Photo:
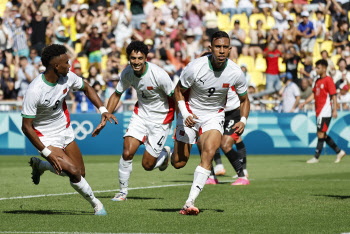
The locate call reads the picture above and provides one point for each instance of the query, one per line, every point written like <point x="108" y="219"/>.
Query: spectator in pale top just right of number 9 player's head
<point x="237" y="37"/>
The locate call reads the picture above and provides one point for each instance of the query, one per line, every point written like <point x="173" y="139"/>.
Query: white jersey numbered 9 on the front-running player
<point x="209" y="87"/>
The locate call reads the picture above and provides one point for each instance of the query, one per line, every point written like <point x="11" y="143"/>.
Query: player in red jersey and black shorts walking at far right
<point x="323" y="92"/>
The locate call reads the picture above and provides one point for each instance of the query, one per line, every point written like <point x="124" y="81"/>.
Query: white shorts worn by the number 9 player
<point x="204" y="123"/>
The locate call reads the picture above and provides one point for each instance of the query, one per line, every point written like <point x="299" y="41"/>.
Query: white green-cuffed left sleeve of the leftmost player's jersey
<point x="30" y="104"/>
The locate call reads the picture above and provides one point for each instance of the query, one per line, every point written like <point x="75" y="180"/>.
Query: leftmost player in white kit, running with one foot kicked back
<point x="46" y="122"/>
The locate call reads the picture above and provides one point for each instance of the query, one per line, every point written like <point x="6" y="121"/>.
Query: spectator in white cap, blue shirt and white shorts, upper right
<point x="307" y="32"/>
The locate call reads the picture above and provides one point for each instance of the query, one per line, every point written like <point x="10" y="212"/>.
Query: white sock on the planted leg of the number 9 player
<point x="200" y="177"/>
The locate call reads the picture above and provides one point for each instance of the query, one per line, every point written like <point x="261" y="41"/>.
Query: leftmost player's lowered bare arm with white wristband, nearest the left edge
<point x="51" y="156"/>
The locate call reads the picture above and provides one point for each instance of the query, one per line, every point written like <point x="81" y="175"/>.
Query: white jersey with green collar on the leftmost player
<point x="45" y="103"/>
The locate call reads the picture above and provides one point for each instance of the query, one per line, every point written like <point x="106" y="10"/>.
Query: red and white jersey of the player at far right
<point x="324" y="88"/>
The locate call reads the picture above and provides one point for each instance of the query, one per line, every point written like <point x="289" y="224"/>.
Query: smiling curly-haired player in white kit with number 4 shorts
<point x="152" y="117"/>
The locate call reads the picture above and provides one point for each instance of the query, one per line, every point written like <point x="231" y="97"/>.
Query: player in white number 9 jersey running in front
<point x="202" y="110"/>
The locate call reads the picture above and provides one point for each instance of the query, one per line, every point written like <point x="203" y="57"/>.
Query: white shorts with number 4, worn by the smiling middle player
<point x="151" y="134"/>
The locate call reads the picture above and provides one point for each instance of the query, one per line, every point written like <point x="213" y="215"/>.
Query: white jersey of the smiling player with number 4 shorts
<point x="154" y="89"/>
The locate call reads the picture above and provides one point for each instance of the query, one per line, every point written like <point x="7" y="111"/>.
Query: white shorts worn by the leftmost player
<point x="60" y="139"/>
